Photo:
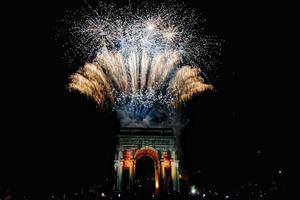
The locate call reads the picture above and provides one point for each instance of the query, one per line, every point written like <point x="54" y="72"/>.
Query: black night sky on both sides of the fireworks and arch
<point x="56" y="141"/>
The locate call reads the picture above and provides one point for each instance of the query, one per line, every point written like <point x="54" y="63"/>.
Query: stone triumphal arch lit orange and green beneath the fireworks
<point x="134" y="147"/>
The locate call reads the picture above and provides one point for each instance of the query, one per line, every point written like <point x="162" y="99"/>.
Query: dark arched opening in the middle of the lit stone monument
<point x="145" y="176"/>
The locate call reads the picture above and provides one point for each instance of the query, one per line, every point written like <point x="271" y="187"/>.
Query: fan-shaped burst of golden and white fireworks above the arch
<point x="142" y="63"/>
